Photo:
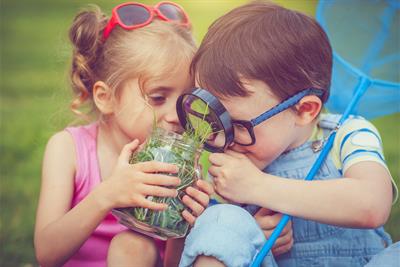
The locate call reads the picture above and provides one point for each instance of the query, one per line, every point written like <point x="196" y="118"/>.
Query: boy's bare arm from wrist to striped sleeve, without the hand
<point x="361" y="199"/>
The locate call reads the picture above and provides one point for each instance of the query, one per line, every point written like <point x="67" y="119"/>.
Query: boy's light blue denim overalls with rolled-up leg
<point x="230" y="234"/>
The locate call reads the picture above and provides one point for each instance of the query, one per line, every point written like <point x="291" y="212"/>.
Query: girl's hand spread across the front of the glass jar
<point x="130" y="184"/>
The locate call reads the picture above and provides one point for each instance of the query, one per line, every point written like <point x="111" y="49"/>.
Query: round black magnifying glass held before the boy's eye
<point x="203" y="114"/>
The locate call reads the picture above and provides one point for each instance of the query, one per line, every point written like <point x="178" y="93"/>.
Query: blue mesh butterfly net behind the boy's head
<point x="365" y="38"/>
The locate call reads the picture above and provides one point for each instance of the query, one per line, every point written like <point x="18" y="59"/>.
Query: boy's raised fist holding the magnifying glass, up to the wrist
<point x="235" y="176"/>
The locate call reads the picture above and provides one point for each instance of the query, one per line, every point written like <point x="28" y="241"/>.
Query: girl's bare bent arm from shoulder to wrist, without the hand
<point x="59" y="231"/>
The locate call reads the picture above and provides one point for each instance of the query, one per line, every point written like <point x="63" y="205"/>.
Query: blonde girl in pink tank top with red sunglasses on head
<point x="126" y="69"/>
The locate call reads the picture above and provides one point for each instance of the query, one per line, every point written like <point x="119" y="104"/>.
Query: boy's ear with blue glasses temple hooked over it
<point x="308" y="109"/>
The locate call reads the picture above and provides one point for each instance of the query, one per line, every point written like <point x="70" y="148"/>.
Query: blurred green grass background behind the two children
<point x="35" y="97"/>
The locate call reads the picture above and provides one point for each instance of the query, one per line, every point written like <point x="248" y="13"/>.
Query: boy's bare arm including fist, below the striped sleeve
<point x="361" y="199"/>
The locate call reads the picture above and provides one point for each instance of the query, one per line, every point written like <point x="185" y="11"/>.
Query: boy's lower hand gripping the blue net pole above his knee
<point x="268" y="220"/>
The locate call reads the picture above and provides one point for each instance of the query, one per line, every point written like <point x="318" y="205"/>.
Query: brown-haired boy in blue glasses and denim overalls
<point x="270" y="68"/>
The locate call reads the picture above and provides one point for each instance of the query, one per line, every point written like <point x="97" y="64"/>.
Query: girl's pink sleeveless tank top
<point x="93" y="253"/>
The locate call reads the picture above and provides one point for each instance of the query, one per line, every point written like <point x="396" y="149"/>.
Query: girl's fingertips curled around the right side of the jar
<point x="196" y="199"/>
